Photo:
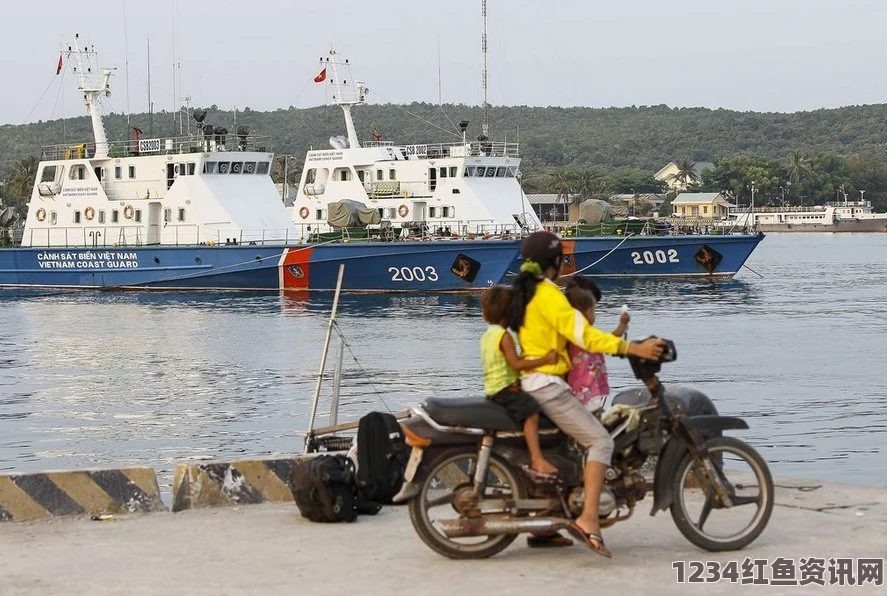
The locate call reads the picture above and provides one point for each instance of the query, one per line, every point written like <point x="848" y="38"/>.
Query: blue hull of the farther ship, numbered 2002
<point x="651" y="256"/>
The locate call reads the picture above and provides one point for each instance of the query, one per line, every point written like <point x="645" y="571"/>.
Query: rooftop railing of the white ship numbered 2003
<point x="160" y="146"/>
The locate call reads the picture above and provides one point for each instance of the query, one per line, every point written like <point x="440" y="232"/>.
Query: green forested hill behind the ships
<point x="637" y="137"/>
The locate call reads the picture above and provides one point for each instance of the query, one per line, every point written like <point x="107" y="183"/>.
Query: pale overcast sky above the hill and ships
<point x="773" y="55"/>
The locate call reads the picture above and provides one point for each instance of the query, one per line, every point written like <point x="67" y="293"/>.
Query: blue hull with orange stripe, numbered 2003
<point x="427" y="266"/>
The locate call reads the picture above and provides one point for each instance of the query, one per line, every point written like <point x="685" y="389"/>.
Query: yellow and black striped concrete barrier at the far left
<point x="45" y="495"/>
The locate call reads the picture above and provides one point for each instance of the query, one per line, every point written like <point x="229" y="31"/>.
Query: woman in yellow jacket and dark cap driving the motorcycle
<point x="544" y="321"/>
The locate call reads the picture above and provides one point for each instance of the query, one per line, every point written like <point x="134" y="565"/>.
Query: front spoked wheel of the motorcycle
<point x="696" y="511"/>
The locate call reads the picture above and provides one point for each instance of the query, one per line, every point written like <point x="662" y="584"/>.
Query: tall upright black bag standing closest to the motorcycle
<point x="381" y="457"/>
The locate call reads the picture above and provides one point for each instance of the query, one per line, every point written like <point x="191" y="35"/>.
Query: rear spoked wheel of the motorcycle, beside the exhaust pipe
<point x="443" y="491"/>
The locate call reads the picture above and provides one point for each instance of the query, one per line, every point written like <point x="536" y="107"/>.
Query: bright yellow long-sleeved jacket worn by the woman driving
<point x="550" y="323"/>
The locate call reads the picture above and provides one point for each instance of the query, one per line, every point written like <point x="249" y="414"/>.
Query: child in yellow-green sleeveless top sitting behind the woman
<point x="501" y="362"/>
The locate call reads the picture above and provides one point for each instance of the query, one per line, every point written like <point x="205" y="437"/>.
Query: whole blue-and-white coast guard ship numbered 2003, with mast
<point x="201" y="212"/>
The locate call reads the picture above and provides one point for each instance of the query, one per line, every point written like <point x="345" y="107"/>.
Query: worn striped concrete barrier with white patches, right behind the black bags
<point x="220" y="484"/>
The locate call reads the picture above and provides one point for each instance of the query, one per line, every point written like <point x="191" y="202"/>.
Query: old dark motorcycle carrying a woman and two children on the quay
<point x="471" y="493"/>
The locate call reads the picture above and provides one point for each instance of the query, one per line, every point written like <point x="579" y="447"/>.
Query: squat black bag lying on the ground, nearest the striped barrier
<point x="324" y="489"/>
